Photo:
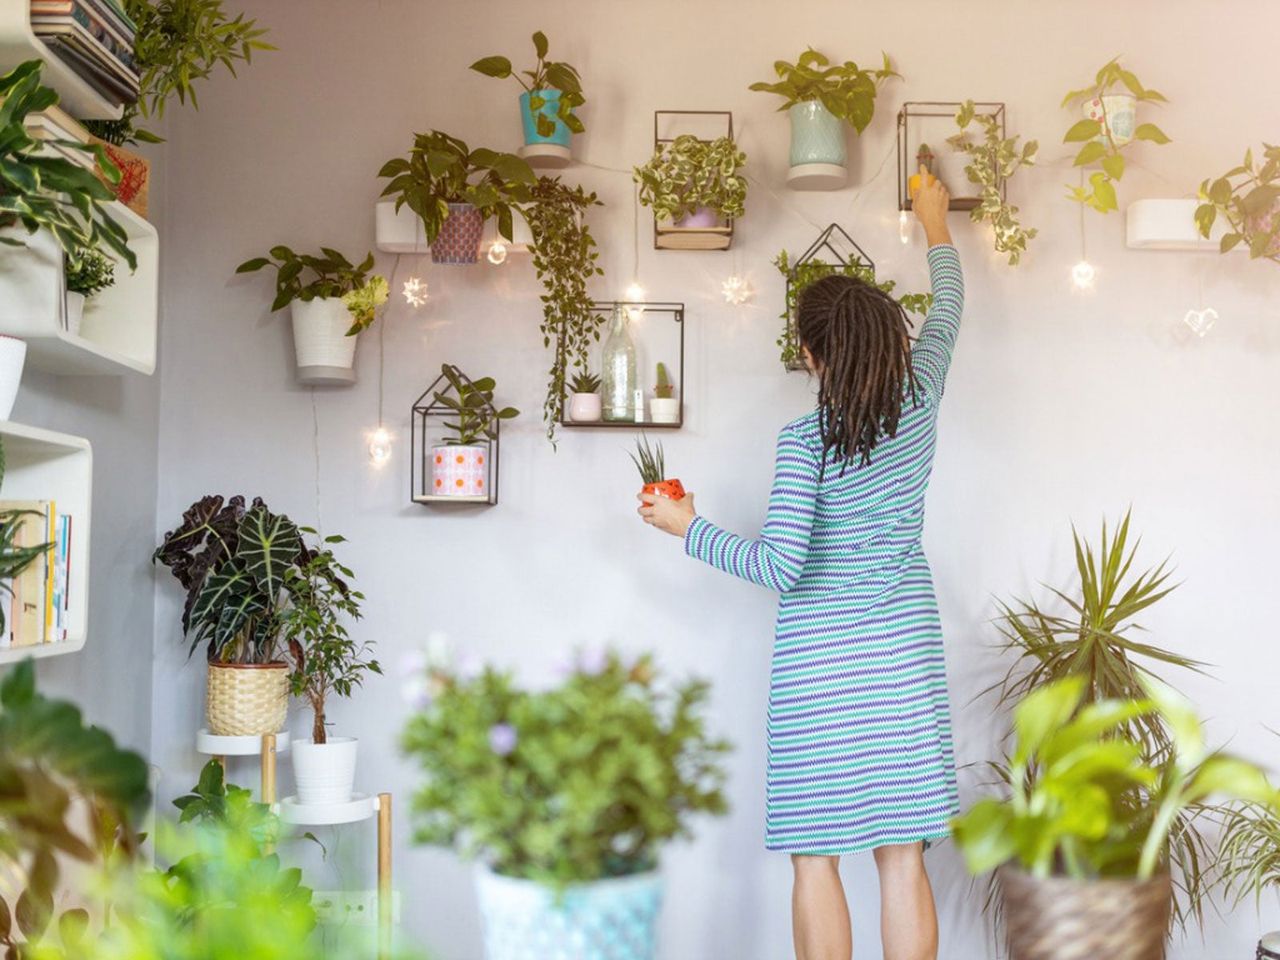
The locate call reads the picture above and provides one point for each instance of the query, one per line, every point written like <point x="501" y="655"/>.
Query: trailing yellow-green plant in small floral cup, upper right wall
<point x="1110" y="125"/>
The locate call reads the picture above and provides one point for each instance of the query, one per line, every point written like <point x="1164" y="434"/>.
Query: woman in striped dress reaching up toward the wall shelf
<point x="860" y="733"/>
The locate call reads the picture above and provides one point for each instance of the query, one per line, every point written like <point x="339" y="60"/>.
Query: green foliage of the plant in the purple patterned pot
<point x="442" y="170"/>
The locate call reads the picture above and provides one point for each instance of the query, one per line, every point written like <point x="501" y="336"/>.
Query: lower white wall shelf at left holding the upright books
<point x="43" y="465"/>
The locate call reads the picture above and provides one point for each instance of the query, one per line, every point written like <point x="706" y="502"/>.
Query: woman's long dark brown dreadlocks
<point x="862" y="353"/>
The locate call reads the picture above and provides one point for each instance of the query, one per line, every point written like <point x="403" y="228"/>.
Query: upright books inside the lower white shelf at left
<point x="38" y="598"/>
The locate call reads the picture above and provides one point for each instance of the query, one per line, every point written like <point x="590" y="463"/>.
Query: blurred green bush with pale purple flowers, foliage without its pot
<point x="578" y="783"/>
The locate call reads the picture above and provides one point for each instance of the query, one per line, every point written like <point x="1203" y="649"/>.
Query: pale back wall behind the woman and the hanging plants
<point x="1060" y="408"/>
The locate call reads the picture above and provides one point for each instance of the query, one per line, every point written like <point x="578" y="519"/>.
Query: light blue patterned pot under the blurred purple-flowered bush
<point x="611" y="920"/>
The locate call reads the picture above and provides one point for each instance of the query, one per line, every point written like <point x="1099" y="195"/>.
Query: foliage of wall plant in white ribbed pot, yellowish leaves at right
<point x="308" y="277"/>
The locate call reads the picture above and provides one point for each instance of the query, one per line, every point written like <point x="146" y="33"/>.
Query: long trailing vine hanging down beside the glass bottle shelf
<point x="565" y="255"/>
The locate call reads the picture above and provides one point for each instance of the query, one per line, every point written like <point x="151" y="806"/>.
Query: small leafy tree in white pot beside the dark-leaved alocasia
<point x="326" y="662"/>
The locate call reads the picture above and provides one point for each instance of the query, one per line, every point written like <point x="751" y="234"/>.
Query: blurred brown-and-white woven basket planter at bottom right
<point x="1068" y="920"/>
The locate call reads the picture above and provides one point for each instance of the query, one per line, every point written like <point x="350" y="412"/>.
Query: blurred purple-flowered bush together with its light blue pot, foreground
<point x="501" y="780"/>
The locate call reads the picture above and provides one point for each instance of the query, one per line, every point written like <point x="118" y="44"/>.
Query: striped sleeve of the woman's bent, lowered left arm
<point x="778" y="559"/>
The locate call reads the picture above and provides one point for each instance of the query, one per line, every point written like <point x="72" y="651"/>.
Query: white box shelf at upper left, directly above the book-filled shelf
<point x="118" y="333"/>
